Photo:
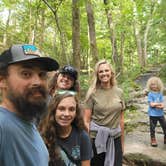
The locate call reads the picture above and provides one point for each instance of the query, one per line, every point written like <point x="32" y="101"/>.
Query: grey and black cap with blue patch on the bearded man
<point x="26" y="52"/>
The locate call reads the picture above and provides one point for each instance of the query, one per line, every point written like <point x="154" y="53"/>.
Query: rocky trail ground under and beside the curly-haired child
<point x="137" y="149"/>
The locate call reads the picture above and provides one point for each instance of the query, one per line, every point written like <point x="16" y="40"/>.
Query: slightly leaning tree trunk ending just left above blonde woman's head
<point x="92" y="33"/>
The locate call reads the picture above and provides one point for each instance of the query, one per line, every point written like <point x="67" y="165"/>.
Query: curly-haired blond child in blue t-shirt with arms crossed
<point x="155" y="109"/>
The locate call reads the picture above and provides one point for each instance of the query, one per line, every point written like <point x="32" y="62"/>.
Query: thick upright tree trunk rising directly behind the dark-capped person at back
<point x="76" y="34"/>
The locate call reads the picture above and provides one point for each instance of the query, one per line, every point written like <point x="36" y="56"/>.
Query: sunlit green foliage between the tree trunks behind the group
<point x="28" y="17"/>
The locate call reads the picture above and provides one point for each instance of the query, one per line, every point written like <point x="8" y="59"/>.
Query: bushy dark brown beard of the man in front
<point x="27" y="106"/>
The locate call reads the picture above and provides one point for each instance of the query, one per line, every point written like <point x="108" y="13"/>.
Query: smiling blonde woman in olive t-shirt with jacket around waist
<point x="103" y="116"/>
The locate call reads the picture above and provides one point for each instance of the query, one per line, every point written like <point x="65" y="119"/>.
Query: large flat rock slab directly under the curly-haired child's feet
<point x="138" y="144"/>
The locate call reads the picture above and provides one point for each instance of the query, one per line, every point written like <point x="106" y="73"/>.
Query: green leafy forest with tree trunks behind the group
<point x="131" y="34"/>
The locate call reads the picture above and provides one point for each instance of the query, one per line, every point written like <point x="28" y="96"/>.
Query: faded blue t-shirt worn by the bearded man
<point x="20" y="142"/>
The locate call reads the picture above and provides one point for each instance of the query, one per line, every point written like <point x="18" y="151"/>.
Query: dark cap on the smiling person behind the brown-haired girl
<point x="70" y="70"/>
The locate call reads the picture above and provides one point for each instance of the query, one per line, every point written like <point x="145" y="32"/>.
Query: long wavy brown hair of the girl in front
<point x="50" y="130"/>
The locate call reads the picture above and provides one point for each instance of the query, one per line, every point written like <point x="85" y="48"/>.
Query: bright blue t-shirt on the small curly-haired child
<point x="155" y="97"/>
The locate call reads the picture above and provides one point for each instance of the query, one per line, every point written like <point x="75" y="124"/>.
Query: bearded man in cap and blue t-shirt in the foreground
<point x="23" y="85"/>
